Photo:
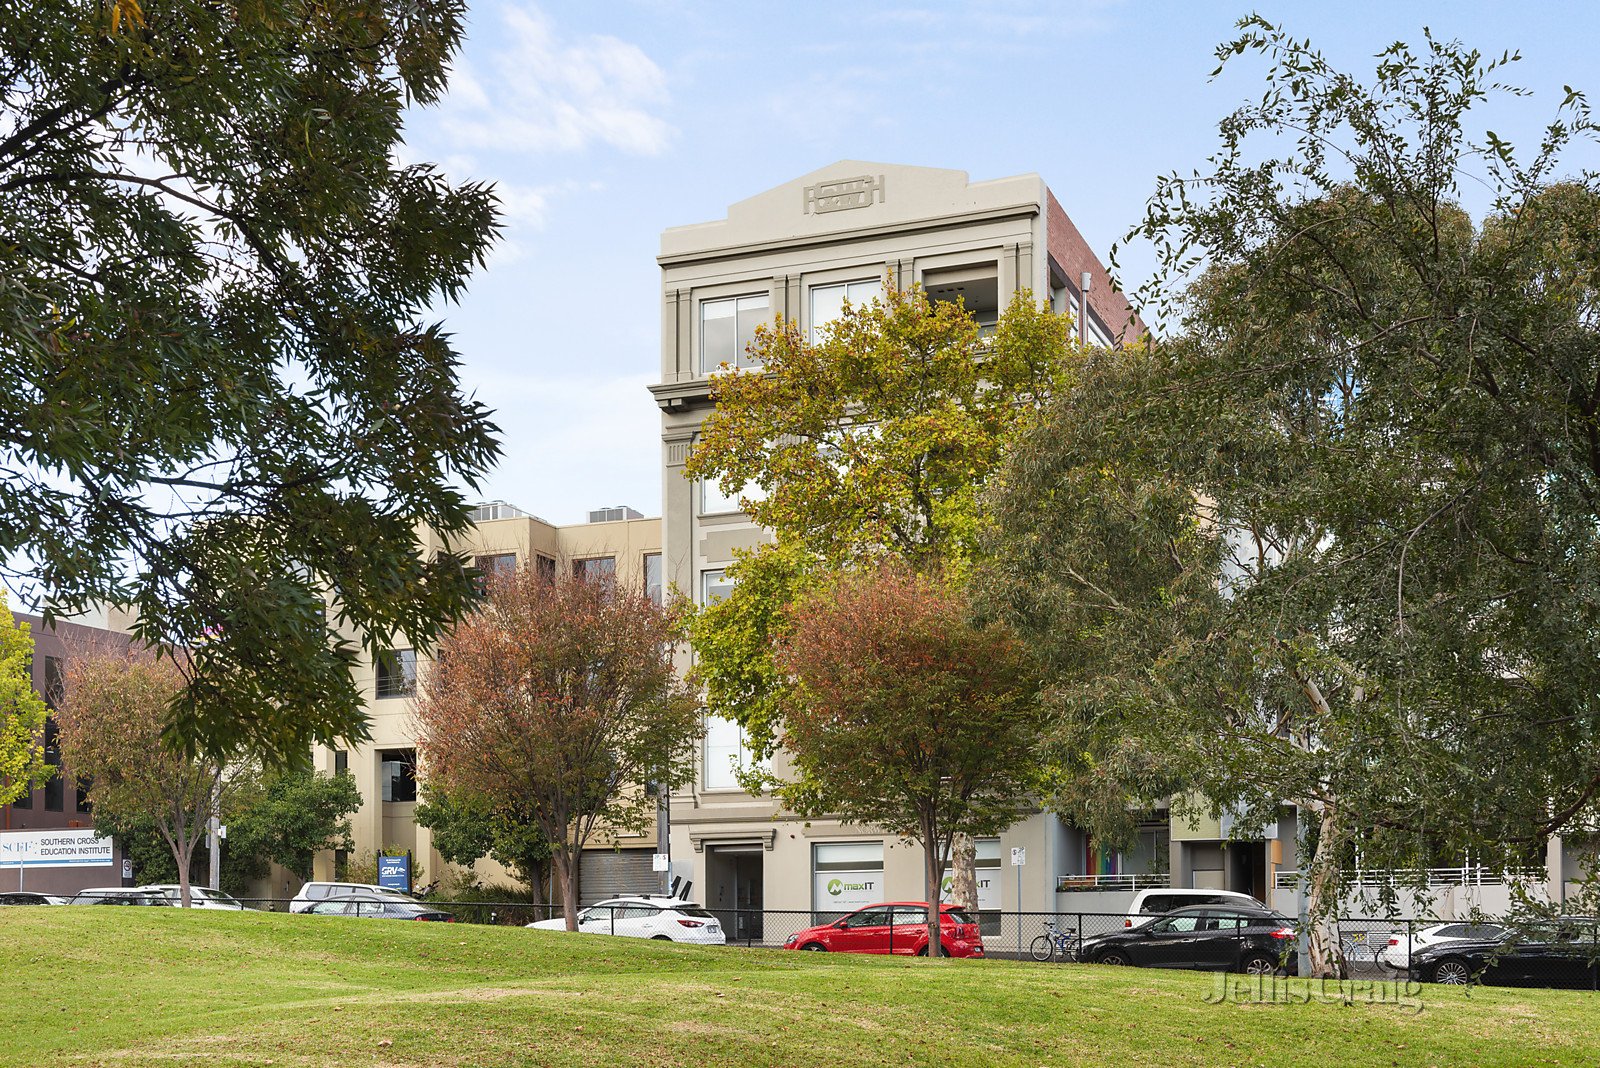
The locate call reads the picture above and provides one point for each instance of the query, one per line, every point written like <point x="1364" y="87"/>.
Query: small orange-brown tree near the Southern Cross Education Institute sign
<point x="111" y="735"/>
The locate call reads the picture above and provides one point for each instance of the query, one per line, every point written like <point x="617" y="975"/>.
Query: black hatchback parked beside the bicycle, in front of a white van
<point x="1209" y="938"/>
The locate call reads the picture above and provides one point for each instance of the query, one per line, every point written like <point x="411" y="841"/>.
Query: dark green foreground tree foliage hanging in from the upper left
<point x="226" y="408"/>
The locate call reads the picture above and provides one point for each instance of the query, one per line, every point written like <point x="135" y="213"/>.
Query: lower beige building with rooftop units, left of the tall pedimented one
<point x="618" y="543"/>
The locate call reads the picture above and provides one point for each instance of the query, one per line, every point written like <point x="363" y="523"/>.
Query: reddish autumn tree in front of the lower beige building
<point x="561" y="698"/>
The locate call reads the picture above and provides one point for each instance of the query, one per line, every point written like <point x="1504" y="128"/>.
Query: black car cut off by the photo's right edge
<point x="1556" y="954"/>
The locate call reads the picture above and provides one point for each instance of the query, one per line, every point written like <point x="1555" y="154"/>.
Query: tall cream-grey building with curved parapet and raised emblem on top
<point x="799" y="252"/>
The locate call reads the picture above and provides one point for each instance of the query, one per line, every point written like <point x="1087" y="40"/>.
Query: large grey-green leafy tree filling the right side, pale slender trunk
<point x="1337" y="543"/>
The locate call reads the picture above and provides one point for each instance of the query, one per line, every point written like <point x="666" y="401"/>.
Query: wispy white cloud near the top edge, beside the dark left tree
<point x="543" y="92"/>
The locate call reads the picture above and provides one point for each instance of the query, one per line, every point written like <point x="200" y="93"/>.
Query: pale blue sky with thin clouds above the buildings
<point x="606" y="124"/>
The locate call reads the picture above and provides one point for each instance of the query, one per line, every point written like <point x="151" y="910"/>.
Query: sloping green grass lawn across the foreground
<point x="162" y="987"/>
